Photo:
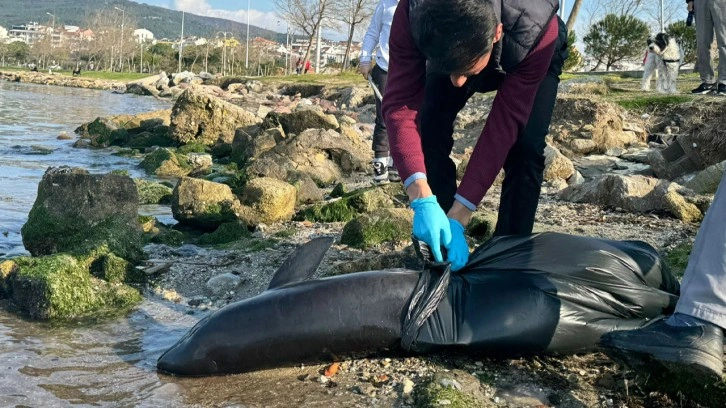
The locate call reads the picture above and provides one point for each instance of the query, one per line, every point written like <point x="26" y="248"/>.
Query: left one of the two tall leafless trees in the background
<point x="306" y="15"/>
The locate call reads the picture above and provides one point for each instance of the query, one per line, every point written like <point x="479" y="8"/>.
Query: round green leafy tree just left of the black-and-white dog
<point x="615" y="38"/>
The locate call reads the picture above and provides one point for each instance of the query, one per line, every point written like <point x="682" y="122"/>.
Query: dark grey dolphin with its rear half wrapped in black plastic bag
<point x="545" y="293"/>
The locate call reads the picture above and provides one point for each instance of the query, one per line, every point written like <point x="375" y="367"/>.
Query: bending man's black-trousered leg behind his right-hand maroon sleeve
<point x="524" y="166"/>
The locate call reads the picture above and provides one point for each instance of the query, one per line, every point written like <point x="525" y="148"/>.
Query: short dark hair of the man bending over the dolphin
<point x="453" y="34"/>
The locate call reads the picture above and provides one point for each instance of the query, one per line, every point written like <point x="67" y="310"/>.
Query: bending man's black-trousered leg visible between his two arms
<point x="442" y="102"/>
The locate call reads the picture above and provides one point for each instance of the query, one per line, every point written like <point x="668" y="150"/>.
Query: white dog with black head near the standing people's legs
<point x="663" y="61"/>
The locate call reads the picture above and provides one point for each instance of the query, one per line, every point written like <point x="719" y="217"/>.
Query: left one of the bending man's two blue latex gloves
<point x="431" y="225"/>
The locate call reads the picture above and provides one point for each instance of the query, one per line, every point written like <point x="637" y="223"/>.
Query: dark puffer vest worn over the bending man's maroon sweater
<point x="524" y="22"/>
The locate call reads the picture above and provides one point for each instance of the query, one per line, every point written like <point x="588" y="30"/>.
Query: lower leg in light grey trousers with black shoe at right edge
<point x="690" y="341"/>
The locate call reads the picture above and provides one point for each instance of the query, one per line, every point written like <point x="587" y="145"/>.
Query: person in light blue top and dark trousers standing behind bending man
<point x="377" y="34"/>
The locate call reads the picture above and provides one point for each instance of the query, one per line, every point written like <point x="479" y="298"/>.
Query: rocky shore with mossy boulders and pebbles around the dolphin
<point x="252" y="169"/>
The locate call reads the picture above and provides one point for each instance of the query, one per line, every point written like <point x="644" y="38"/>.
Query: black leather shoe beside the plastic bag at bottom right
<point x="695" y="352"/>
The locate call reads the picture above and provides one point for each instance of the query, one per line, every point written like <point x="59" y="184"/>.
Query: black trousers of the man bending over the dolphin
<point x="524" y="165"/>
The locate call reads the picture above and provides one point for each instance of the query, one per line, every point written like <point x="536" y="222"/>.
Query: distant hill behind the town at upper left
<point x="164" y="23"/>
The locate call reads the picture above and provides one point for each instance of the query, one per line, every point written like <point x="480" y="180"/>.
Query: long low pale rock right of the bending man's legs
<point x="633" y="193"/>
